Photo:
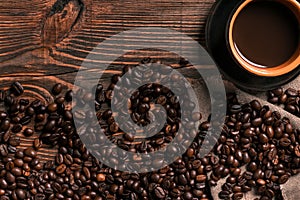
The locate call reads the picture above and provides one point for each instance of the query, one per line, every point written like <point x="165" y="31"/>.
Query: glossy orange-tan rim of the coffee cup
<point x="284" y="68"/>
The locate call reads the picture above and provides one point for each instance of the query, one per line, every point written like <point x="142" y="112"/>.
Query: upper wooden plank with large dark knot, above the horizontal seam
<point x="62" y="37"/>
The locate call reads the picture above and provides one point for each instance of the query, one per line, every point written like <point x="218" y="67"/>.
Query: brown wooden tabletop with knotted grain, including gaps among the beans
<point x="43" y="42"/>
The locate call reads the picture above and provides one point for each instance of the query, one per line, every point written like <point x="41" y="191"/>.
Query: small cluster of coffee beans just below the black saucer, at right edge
<point x="289" y="99"/>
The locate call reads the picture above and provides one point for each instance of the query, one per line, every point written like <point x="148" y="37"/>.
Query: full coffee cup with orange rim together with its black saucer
<point x="256" y="43"/>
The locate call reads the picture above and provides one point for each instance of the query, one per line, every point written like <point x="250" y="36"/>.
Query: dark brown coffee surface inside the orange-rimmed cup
<point x="266" y="33"/>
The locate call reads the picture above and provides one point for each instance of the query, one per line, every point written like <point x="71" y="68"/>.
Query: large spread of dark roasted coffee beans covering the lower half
<point x="252" y="136"/>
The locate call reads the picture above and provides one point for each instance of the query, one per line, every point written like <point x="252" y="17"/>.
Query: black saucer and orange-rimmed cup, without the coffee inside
<point x="236" y="67"/>
